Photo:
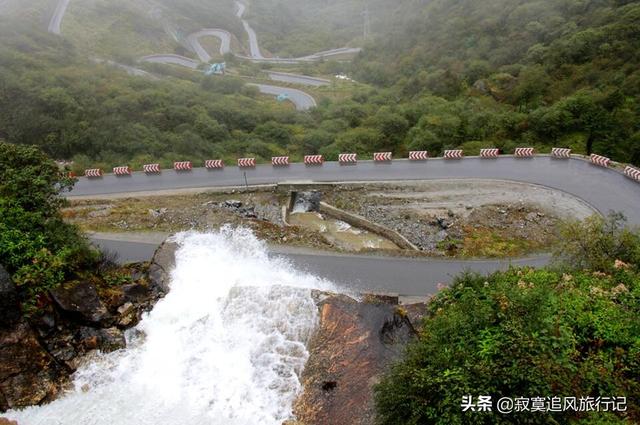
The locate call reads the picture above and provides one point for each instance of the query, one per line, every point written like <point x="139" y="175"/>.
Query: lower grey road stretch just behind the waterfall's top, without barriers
<point x="409" y="277"/>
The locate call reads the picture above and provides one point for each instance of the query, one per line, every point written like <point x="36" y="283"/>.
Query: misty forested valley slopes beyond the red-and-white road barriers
<point x="433" y="75"/>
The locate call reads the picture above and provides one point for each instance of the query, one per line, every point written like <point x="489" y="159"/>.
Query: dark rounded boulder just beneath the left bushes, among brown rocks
<point x="80" y="300"/>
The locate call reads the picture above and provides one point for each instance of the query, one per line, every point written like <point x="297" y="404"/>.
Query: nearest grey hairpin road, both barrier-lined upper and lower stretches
<point x="604" y="189"/>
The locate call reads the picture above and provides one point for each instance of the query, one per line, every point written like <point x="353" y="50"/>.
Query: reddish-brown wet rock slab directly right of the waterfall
<point x="353" y="345"/>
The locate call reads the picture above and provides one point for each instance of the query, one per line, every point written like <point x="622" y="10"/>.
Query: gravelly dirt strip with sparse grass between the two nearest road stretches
<point x="464" y="218"/>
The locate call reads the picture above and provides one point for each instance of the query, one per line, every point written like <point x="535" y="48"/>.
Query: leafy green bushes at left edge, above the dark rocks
<point x="37" y="247"/>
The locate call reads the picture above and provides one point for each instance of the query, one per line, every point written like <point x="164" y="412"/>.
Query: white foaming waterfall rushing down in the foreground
<point x="225" y="346"/>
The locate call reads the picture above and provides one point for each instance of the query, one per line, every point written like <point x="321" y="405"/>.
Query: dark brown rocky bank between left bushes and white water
<point x="38" y="354"/>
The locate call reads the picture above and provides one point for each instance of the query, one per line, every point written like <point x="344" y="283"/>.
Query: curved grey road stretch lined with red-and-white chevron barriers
<point x="604" y="189"/>
